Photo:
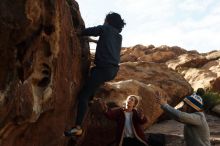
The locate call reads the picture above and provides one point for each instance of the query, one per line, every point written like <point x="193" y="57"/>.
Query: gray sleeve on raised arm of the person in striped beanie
<point x="183" y="117"/>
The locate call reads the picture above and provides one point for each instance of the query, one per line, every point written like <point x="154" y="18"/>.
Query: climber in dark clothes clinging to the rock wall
<point x="107" y="58"/>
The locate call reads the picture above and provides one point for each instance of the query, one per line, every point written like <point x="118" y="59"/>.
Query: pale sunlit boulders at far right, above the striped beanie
<point x="201" y="71"/>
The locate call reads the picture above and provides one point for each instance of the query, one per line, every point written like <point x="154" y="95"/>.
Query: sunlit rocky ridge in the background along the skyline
<point x="200" y="70"/>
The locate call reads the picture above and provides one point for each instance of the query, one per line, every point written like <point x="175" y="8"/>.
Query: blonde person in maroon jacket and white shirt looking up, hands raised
<point x="129" y="131"/>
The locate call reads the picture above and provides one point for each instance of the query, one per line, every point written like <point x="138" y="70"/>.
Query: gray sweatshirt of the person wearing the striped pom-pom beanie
<point x="196" y="129"/>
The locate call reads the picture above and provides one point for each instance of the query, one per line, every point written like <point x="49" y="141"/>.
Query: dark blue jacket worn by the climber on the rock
<point x="108" y="46"/>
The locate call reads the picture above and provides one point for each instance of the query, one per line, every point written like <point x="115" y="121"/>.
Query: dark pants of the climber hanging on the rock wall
<point x="98" y="76"/>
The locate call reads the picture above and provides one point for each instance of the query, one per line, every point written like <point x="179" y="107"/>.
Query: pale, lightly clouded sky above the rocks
<point x="189" y="24"/>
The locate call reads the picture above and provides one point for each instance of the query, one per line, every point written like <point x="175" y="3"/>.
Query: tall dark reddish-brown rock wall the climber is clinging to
<point x="41" y="68"/>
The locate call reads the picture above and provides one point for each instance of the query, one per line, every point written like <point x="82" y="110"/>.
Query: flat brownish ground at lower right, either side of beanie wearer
<point x="172" y="131"/>
